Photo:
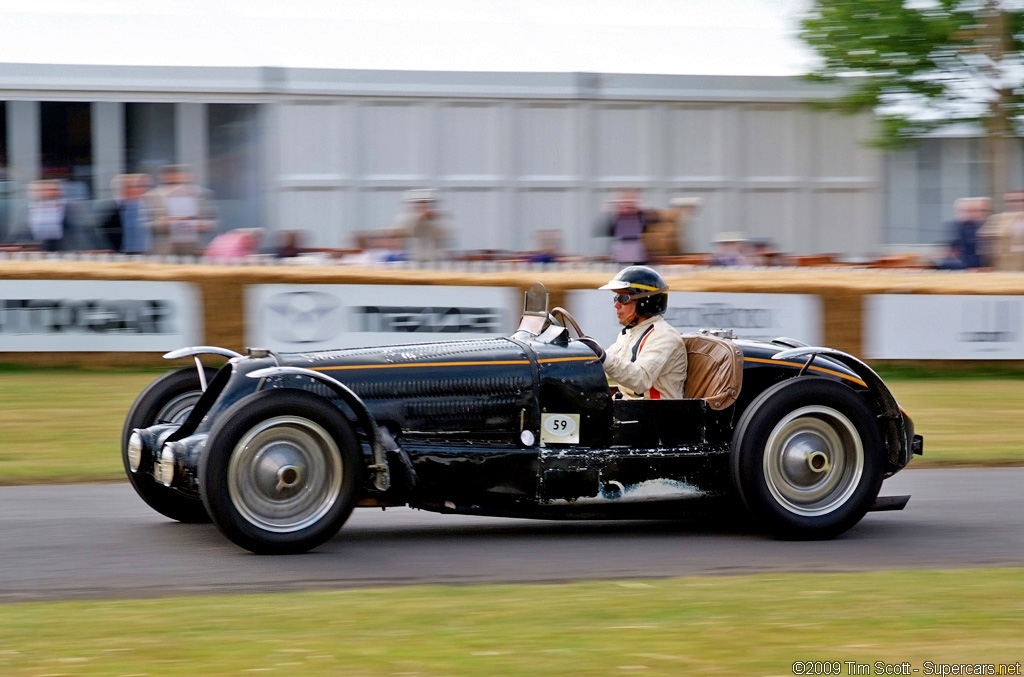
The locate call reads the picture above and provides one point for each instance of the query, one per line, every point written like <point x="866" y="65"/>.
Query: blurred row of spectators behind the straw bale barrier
<point x="167" y="214"/>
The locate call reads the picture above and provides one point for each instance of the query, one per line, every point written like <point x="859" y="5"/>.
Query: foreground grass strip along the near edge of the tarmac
<point x="750" y="625"/>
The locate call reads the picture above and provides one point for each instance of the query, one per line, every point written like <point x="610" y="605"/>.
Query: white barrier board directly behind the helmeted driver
<point x="750" y="316"/>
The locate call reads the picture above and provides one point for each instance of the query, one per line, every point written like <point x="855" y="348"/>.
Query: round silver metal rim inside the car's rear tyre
<point x="814" y="461"/>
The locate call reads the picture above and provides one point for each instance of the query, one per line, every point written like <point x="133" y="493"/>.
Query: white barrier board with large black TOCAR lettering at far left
<point x="92" y="316"/>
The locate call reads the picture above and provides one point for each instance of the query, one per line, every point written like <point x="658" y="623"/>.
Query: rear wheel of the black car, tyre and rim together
<point x="807" y="458"/>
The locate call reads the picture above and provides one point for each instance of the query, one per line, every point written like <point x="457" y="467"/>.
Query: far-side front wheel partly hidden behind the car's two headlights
<point x="168" y="400"/>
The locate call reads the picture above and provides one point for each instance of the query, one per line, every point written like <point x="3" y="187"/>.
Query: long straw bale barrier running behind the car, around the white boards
<point x="223" y="291"/>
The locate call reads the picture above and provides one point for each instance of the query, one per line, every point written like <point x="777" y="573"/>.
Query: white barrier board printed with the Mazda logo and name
<point x="303" y="318"/>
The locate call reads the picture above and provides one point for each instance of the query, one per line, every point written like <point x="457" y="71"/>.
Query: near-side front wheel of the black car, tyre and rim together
<point x="281" y="472"/>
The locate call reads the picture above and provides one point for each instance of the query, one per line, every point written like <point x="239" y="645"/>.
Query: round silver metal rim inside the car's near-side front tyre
<point x="285" y="475"/>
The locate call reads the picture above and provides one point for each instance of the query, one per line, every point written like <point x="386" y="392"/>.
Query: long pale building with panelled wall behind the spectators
<point x="331" y="152"/>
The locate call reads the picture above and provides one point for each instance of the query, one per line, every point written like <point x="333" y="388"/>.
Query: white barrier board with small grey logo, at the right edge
<point x="944" y="327"/>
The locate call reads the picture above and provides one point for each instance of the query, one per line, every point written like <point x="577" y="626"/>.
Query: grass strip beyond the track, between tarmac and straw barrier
<point x="60" y="426"/>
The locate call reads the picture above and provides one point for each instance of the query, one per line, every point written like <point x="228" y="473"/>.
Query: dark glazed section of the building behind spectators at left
<point x="83" y="145"/>
